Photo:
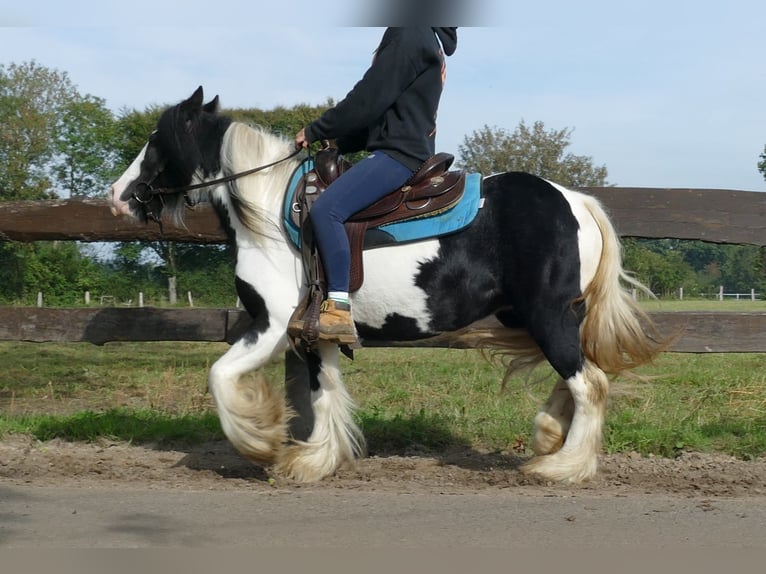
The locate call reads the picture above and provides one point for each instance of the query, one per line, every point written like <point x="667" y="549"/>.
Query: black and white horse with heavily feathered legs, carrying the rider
<point x="543" y="261"/>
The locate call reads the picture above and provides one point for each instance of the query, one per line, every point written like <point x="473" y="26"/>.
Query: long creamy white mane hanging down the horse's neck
<point x="257" y="199"/>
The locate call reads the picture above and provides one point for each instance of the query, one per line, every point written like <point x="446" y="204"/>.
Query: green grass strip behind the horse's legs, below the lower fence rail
<point x="410" y="400"/>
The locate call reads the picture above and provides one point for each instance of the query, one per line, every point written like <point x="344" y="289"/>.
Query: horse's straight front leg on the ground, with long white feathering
<point x="335" y="438"/>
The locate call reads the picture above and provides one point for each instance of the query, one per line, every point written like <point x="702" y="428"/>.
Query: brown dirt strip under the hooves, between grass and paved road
<point x="216" y="466"/>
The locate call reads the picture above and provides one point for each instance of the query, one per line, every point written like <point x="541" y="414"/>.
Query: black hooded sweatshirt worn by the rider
<point x="393" y="108"/>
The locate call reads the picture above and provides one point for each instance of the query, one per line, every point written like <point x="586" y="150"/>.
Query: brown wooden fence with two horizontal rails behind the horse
<point x="721" y="216"/>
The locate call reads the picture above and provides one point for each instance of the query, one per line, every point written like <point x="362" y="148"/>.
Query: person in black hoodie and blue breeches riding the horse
<point x="391" y="113"/>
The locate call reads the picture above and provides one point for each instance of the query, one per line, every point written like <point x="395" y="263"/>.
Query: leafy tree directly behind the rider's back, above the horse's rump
<point x="533" y="150"/>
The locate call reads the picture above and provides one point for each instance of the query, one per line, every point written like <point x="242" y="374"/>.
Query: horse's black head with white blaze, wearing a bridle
<point x="174" y="156"/>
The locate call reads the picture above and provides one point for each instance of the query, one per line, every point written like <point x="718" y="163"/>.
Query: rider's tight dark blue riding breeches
<point x="366" y="182"/>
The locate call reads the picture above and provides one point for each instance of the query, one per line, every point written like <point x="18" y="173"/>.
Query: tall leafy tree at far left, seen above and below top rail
<point x="53" y="142"/>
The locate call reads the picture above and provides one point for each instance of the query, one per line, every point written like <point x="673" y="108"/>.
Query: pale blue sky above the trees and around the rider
<point x="663" y="93"/>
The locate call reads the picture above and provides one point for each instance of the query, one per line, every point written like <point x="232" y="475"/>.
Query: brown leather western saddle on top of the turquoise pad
<point x="431" y="190"/>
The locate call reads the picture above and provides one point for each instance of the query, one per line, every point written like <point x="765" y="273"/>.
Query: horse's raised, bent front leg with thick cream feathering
<point x="252" y="412"/>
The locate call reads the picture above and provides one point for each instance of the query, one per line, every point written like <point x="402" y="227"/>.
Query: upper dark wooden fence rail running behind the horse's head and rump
<point x="716" y="215"/>
